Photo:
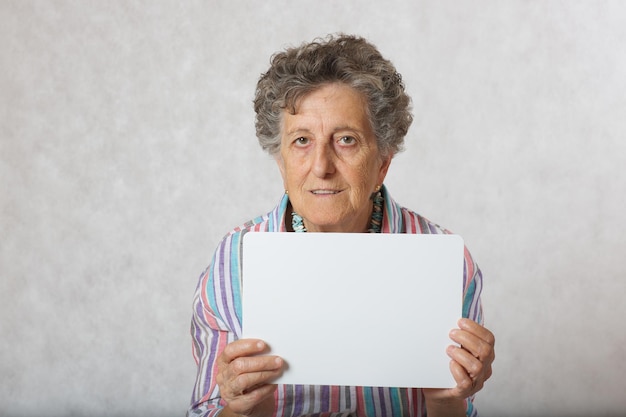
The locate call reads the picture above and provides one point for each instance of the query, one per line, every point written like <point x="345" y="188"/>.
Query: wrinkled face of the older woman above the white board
<point x="329" y="160"/>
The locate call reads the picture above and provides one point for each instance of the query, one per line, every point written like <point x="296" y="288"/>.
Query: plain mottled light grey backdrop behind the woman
<point x="127" y="150"/>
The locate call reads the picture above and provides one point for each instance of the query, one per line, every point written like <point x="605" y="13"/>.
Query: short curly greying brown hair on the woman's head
<point x="347" y="59"/>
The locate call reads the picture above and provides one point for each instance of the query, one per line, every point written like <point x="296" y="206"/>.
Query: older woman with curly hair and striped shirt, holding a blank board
<point x="332" y="113"/>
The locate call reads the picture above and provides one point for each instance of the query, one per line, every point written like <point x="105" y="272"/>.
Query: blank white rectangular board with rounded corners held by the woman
<point x="355" y="309"/>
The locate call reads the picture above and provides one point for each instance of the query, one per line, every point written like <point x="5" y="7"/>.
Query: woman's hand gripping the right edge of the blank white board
<point x="470" y="364"/>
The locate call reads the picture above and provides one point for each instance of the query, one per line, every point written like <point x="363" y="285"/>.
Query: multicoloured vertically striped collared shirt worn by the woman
<point x="217" y="322"/>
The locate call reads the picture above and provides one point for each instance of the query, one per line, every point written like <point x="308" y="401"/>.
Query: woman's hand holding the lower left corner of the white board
<point x="244" y="377"/>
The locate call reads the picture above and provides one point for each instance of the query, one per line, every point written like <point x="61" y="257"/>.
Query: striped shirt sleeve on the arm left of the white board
<point x="215" y="323"/>
